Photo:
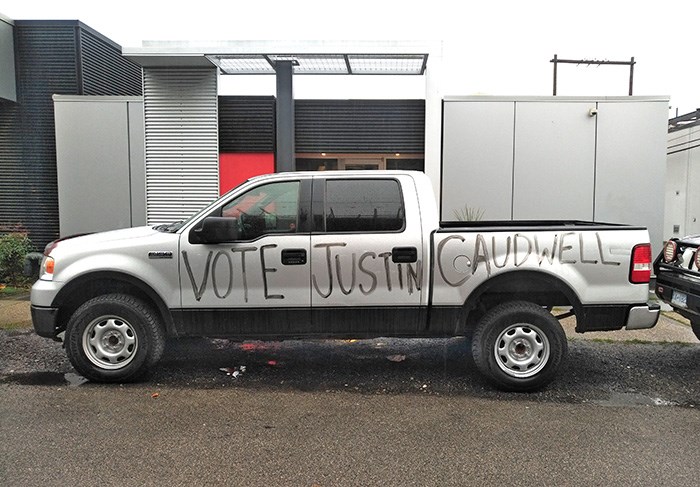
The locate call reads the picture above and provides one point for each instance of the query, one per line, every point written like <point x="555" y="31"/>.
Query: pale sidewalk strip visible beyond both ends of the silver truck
<point x="670" y="328"/>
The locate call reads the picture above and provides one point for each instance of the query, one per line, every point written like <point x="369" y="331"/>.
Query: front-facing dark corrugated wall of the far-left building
<point x="46" y="65"/>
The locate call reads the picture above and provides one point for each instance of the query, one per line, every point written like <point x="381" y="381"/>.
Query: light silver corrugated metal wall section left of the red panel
<point x="180" y="109"/>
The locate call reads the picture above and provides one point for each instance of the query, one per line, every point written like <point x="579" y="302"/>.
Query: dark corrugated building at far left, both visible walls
<point x="47" y="58"/>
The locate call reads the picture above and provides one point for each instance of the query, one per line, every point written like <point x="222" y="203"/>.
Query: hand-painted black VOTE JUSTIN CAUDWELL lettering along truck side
<point x="457" y="260"/>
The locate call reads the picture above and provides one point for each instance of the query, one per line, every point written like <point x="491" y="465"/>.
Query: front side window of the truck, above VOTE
<point x="270" y="208"/>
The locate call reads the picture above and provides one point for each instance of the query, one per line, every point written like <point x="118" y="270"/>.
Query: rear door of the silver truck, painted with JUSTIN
<point x="366" y="256"/>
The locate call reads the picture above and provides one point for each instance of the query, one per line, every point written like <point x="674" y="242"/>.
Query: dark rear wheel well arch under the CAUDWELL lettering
<point x="532" y="286"/>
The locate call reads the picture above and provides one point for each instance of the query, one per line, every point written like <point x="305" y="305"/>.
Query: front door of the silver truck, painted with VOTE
<point x="258" y="282"/>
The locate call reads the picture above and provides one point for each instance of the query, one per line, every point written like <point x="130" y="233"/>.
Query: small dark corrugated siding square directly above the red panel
<point x="246" y="124"/>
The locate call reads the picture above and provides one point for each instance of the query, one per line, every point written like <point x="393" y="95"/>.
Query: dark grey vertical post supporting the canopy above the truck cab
<point x="284" y="146"/>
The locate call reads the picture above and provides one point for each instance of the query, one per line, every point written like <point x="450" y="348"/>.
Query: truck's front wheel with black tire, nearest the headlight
<point x="114" y="338"/>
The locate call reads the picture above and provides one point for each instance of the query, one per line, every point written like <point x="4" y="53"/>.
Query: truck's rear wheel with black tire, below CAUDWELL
<point x="519" y="346"/>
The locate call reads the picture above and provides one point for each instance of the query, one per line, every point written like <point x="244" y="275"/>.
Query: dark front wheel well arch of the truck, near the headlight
<point x="89" y="286"/>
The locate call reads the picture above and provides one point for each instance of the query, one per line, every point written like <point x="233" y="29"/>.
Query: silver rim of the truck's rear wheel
<point x="522" y="350"/>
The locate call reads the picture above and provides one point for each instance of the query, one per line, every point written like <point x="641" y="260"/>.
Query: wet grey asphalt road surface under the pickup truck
<point x="384" y="411"/>
